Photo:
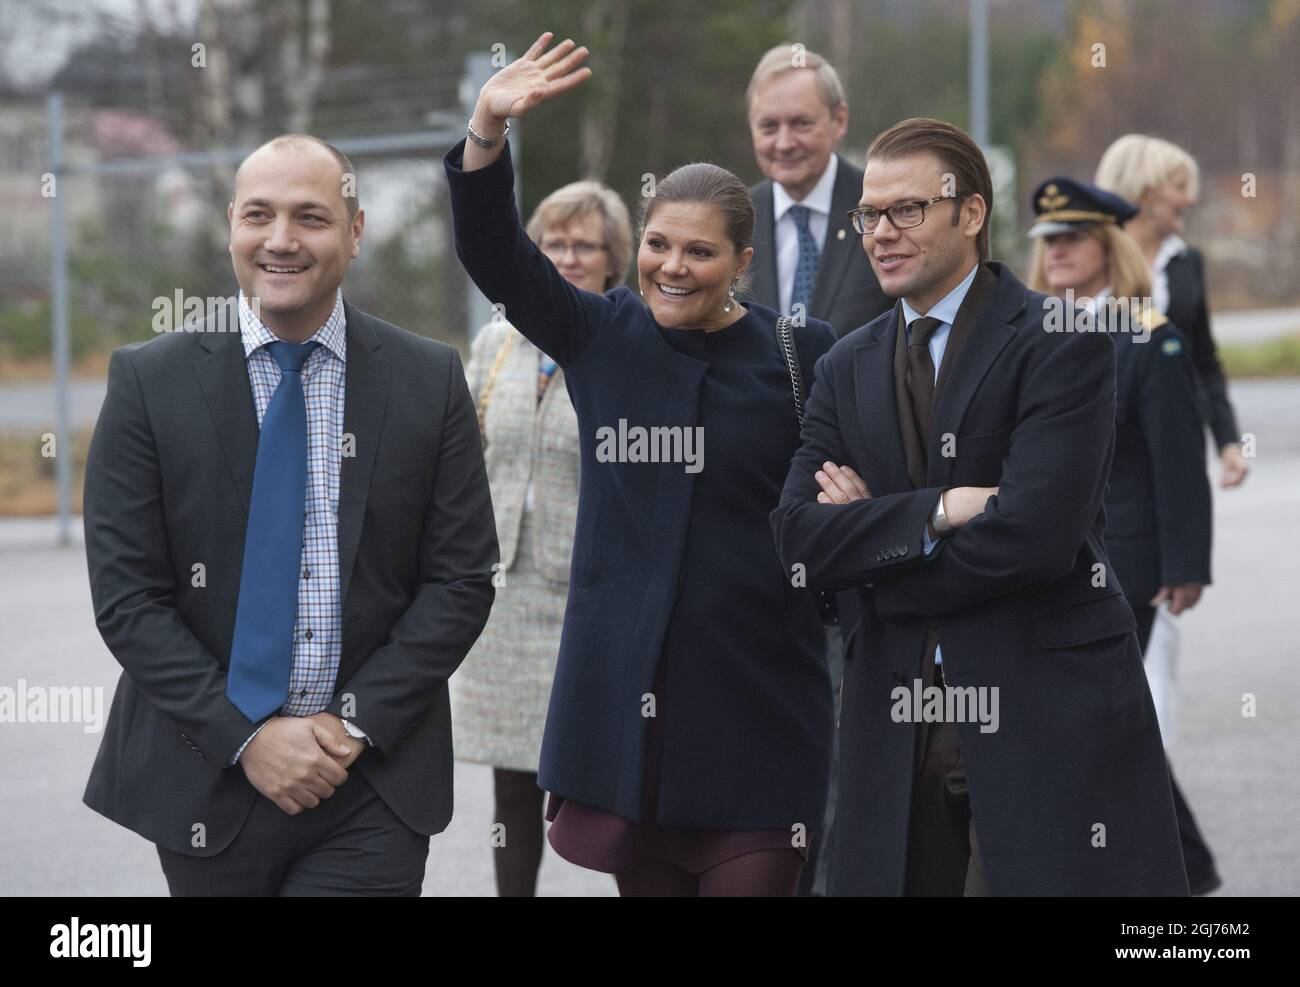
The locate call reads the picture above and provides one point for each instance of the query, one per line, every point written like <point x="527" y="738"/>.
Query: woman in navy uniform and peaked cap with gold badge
<point x="1159" y="500"/>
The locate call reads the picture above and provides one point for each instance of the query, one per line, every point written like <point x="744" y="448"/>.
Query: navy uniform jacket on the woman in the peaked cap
<point x="1159" y="505"/>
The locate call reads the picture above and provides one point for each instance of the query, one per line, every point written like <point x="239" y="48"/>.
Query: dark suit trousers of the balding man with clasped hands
<point x="348" y="846"/>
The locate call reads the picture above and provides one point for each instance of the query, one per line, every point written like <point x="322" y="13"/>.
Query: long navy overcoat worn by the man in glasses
<point x="1015" y="601"/>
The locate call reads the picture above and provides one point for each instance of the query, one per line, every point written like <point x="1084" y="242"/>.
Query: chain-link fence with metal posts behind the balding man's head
<point x="144" y="233"/>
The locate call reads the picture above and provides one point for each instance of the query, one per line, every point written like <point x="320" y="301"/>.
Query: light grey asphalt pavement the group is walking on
<point x="1238" y="772"/>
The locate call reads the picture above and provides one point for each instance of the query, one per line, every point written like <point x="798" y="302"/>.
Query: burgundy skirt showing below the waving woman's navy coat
<point x="600" y="841"/>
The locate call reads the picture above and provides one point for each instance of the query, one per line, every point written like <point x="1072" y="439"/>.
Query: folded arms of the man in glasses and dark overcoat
<point x="1029" y="531"/>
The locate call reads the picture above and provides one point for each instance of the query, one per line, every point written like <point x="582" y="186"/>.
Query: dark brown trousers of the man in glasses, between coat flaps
<point x="943" y="852"/>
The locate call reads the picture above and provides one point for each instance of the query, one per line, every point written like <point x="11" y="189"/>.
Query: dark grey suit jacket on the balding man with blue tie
<point x="168" y="486"/>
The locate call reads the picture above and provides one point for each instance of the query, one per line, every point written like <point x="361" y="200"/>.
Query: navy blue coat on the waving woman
<point x="669" y="562"/>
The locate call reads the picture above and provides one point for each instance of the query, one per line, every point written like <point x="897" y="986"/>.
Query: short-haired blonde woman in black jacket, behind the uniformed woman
<point x="1164" y="181"/>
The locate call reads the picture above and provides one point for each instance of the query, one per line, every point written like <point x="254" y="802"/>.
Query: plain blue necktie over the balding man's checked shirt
<point x="262" y="655"/>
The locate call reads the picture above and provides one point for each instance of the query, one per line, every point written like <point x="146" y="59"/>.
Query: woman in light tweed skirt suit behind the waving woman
<point x="531" y="447"/>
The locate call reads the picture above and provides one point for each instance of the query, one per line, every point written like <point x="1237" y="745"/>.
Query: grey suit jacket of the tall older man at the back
<point x="847" y="293"/>
